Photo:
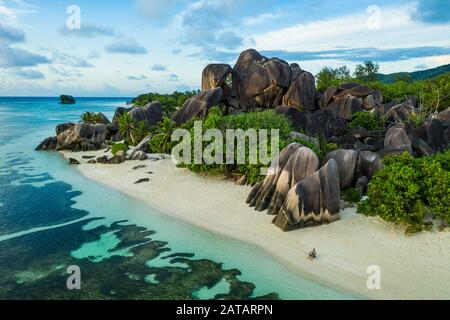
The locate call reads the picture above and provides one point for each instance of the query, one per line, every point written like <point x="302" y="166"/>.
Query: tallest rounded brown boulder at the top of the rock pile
<point x="259" y="81"/>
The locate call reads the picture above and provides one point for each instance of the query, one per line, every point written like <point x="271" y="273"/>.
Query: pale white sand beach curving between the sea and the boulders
<point x="412" y="267"/>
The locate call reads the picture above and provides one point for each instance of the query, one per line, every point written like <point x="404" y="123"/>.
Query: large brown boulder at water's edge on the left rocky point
<point x="82" y="137"/>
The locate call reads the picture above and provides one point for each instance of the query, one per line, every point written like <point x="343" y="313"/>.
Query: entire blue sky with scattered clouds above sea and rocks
<point x="125" y="48"/>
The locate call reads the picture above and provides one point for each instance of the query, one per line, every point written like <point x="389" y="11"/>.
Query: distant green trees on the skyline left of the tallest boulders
<point x="170" y="102"/>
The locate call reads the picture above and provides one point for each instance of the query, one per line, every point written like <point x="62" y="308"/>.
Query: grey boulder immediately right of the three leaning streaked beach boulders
<point x="346" y="161"/>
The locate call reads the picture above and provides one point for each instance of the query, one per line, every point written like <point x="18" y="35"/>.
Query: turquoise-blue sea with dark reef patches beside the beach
<point x="51" y="218"/>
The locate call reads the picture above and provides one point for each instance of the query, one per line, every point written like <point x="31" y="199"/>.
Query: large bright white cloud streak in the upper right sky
<point x="396" y="30"/>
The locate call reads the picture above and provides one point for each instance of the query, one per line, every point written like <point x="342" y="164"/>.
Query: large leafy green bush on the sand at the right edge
<point x="407" y="187"/>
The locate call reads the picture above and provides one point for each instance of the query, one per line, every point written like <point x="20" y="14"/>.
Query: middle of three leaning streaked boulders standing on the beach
<point x="302" y="163"/>
